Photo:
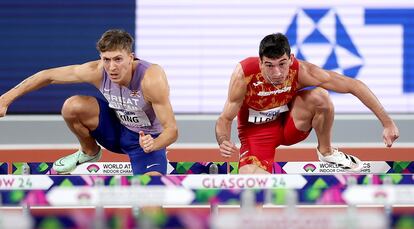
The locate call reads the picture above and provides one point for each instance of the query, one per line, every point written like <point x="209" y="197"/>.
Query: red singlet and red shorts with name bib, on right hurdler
<point x="264" y="120"/>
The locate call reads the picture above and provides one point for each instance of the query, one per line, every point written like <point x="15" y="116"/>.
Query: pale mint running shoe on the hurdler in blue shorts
<point x="66" y="165"/>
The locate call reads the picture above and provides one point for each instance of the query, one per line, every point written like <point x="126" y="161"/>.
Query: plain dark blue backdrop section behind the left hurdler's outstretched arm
<point x="40" y="34"/>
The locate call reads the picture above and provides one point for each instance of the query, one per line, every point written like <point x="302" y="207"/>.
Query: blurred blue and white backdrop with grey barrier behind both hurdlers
<point x="199" y="43"/>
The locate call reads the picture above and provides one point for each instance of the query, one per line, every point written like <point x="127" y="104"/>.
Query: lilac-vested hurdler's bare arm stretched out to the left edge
<point x="61" y="75"/>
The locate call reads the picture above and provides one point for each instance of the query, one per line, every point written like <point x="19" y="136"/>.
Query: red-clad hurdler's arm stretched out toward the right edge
<point x="311" y="75"/>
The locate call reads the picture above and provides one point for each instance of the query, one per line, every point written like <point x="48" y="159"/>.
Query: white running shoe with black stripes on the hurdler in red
<point x="344" y="161"/>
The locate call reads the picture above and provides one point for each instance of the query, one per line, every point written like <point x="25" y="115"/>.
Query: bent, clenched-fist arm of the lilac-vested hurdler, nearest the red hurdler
<point x="156" y="91"/>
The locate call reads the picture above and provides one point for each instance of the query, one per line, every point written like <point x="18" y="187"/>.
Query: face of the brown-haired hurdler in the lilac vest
<point x="118" y="65"/>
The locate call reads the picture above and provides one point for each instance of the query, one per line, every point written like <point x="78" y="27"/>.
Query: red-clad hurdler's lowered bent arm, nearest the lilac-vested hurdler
<point x="237" y="91"/>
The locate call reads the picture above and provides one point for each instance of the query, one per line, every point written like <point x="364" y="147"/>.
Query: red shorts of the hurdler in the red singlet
<point x="259" y="141"/>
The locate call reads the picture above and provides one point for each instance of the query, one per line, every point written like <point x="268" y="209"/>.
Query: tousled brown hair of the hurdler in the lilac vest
<point x="115" y="39"/>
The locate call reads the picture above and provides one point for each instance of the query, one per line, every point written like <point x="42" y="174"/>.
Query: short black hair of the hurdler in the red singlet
<point x="274" y="46"/>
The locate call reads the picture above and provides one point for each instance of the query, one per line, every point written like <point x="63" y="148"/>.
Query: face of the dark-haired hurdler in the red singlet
<point x="275" y="70"/>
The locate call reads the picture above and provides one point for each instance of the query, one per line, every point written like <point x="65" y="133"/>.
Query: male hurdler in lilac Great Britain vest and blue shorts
<point x="135" y="119"/>
